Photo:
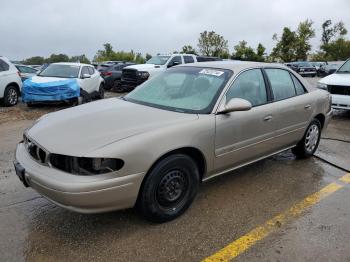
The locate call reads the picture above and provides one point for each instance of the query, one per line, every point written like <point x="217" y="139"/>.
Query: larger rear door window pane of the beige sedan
<point x="281" y="83"/>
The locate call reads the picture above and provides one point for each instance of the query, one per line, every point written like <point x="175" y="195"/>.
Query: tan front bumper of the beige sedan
<point x="83" y="194"/>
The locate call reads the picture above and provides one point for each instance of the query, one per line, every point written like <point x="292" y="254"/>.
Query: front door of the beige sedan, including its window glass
<point x="244" y="136"/>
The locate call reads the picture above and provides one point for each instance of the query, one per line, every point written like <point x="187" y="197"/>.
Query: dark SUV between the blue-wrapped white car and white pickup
<point x="112" y="73"/>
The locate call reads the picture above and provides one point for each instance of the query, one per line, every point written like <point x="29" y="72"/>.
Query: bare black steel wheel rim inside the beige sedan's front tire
<point x="172" y="188"/>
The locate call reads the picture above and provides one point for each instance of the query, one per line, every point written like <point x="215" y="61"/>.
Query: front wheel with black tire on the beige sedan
<point x="169" y="188"/>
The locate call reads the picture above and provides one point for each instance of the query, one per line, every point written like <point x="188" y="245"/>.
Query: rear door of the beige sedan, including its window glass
<point x="292" y="104"/>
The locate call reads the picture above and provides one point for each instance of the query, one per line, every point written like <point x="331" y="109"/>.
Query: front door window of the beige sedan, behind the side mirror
<point x="249" y="85"/>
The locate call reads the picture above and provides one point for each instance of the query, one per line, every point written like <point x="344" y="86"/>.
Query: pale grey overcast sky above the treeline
<point x="74" y="27"/>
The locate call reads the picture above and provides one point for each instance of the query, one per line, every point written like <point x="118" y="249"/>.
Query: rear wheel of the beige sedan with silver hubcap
<point x="309" y="143"/>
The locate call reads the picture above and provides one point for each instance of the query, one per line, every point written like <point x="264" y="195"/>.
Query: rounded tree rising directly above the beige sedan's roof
<point x="212" y="44"/>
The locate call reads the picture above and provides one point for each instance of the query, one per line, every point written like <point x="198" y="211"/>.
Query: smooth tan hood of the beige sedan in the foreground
<point x="80" y="130"/>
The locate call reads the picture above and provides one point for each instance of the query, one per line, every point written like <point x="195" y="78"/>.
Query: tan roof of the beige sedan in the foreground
<point x="233" y="65"/>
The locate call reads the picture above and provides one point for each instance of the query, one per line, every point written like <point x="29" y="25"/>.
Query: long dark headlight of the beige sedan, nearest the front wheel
<point x="85" y="166"/>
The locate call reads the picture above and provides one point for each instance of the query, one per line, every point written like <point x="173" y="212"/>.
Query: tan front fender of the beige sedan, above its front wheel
<point x="140" y="152"/>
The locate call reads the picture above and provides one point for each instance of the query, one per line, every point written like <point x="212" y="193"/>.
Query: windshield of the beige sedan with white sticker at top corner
<point x="182" y="89"/>
